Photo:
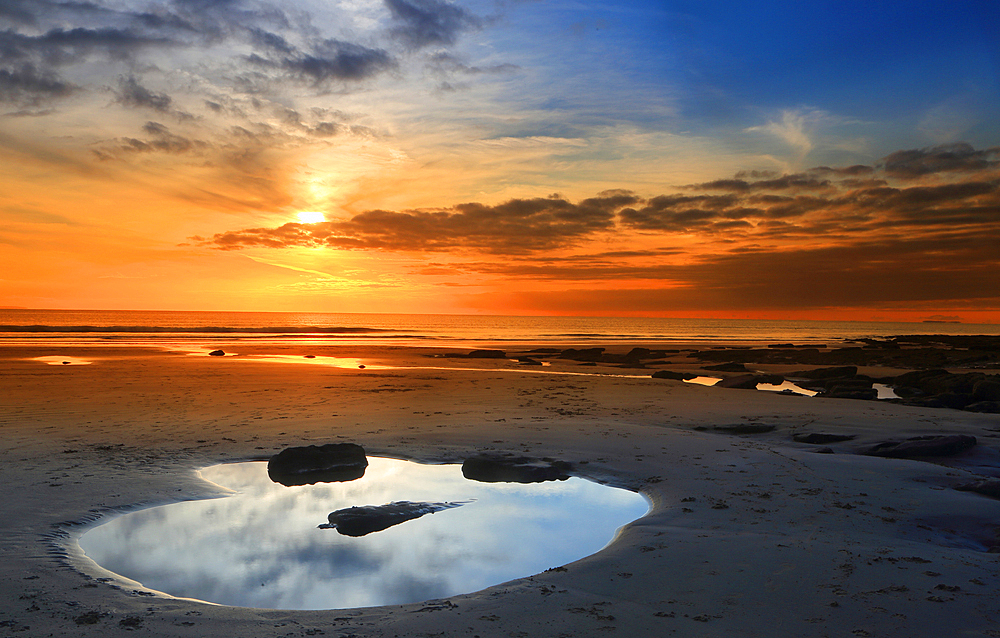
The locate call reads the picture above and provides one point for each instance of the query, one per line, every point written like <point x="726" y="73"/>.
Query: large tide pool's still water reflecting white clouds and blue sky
<point x="262" y="547"/>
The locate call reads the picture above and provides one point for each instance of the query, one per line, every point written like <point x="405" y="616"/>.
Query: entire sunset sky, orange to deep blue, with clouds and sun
<point x="677" y="158"/>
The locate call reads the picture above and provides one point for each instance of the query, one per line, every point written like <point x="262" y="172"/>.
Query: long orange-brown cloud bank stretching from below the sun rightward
<point x="855" y="236"/>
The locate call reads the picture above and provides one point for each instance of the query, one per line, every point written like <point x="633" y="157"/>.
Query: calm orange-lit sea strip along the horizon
<point x="65" y="327"/>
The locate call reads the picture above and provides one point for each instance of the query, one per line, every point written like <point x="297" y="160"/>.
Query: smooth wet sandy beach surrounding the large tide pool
<point x="748" y="535"/>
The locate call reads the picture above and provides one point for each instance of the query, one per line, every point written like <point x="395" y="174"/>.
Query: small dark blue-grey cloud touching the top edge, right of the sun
<point x="422" y="23"/>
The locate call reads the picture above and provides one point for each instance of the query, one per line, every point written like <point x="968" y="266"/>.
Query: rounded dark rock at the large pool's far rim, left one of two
<point x="331" y="463"/>
